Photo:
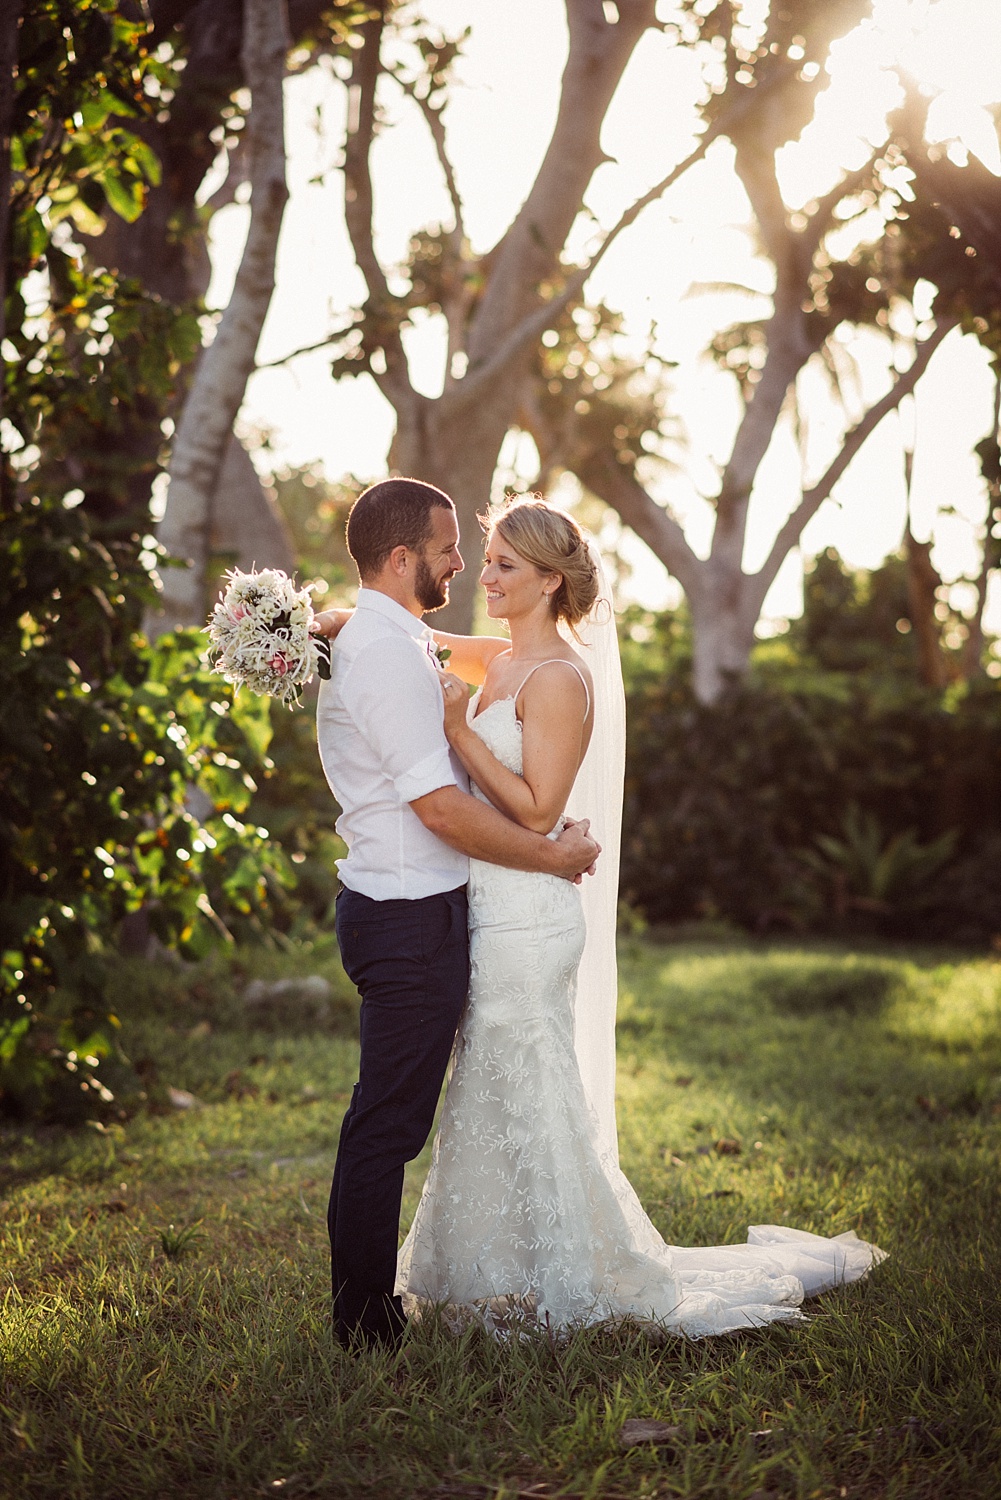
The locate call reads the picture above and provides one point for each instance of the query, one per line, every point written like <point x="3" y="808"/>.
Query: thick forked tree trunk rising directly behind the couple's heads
<point x="455" y="440"/>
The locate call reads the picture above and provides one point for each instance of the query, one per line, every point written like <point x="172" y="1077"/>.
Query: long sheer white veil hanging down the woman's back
<point x="598" y="794"/>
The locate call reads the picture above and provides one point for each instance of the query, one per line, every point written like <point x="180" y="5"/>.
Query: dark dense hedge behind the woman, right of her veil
<point x="811" y="797"/>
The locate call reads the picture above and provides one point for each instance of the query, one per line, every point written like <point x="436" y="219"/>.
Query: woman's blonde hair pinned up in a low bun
<point x="555" y="544"/>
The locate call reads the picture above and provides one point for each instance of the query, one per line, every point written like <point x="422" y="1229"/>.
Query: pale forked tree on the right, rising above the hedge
<point x="726" y="602"/>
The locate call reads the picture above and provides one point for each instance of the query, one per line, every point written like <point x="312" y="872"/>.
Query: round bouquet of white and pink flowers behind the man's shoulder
<point x="260" y="634"/>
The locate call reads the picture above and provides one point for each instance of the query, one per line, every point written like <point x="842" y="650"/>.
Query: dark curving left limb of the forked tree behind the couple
<point x="383" y="310"/>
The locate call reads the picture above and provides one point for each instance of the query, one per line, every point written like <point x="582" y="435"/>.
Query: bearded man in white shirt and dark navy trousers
<point x="410" y="827"/>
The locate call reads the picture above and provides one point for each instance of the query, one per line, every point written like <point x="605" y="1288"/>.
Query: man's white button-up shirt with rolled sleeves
<point x="380" y="724"/>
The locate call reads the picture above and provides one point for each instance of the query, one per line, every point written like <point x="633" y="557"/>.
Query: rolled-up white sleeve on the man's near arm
<point x="395" y="701"/>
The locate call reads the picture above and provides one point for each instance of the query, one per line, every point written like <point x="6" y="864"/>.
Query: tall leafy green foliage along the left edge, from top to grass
<point x="125" y="772"/>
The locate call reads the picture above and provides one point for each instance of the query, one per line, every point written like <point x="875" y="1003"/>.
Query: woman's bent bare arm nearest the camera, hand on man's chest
<point x="555" y="719"/>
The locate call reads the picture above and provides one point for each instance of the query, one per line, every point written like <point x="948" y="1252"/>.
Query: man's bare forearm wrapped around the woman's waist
<point x="482" y="833"/>
